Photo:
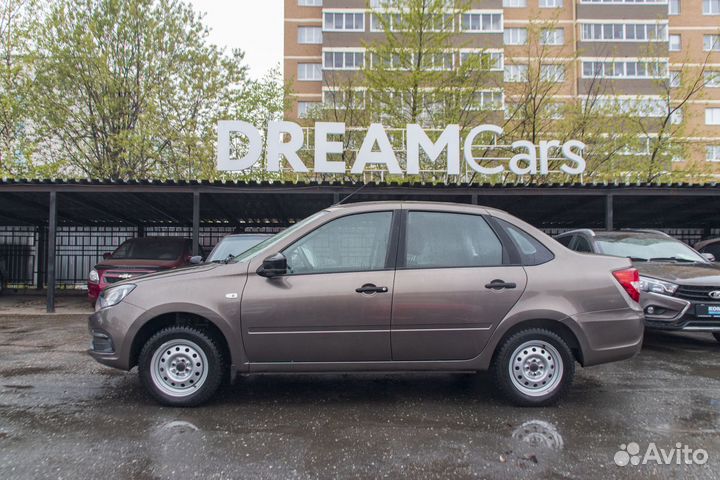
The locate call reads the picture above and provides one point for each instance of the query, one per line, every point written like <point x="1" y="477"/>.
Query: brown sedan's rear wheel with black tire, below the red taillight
<point x="537" y="386"/>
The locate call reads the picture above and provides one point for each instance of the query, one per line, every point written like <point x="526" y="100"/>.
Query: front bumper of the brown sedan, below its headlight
<point x="112" y="332"/>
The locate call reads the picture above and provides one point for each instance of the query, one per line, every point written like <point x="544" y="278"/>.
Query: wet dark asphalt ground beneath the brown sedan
<point x="64" y="416"/>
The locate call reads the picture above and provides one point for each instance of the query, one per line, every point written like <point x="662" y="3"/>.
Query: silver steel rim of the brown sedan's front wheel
<point x="179" y="368"/>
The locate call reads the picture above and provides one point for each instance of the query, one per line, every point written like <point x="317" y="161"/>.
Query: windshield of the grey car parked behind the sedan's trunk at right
<point x="644" y="248"/>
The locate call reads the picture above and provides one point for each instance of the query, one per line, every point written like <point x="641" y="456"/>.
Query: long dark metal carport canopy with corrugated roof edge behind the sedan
<point x="243" y="204"/>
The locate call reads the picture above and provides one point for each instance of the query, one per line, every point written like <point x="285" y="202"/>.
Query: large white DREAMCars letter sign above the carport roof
<point x="531" y="159"/>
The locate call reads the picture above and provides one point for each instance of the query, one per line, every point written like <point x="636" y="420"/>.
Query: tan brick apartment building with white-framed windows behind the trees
<point x="642" y="50"/>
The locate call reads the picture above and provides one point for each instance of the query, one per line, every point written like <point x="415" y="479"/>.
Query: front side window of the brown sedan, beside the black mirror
<point x="349" y="244"/>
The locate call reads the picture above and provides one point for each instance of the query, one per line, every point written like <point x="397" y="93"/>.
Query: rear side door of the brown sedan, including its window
<point x="453" y="284"/>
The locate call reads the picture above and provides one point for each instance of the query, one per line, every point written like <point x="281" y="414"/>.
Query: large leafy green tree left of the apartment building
<point x="133" y="88"/>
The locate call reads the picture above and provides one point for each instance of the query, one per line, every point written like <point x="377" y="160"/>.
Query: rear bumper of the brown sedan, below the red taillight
<point x="609" y="336"/>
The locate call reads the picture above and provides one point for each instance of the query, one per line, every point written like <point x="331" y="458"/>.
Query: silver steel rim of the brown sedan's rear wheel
<point x="536" y="368"/>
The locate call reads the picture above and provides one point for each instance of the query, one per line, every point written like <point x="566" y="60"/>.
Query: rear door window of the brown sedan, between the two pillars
<point x="445" y="240"/>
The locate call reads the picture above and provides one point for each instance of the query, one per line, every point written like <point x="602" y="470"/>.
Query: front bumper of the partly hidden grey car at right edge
<point x="672" y="313"/>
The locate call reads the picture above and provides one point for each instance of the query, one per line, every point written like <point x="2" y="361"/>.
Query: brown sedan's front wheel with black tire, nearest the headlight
<point x="186" y="346"/>
